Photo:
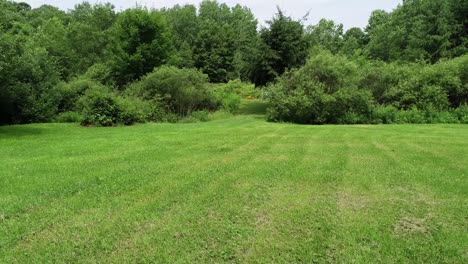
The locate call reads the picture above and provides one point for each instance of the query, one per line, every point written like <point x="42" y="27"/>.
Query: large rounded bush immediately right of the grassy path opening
<point x="323" y="91"/>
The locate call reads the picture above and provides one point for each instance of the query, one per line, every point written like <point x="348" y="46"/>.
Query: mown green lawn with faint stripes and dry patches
<point x="234" y="190"/>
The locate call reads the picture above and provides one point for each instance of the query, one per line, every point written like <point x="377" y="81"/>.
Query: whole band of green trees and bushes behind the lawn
<point x="100" y="67"/>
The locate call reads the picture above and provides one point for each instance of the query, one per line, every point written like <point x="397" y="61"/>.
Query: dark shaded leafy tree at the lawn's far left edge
<point x="27" y="75"/>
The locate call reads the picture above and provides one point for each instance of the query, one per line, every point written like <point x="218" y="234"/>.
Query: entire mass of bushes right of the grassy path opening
<point x="334" y="89"/>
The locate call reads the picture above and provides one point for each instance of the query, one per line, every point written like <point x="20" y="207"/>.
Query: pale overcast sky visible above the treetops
<point x="352" y="13"/>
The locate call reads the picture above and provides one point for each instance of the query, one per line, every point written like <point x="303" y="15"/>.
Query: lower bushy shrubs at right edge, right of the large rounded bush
<point x="435" y="87"/>
